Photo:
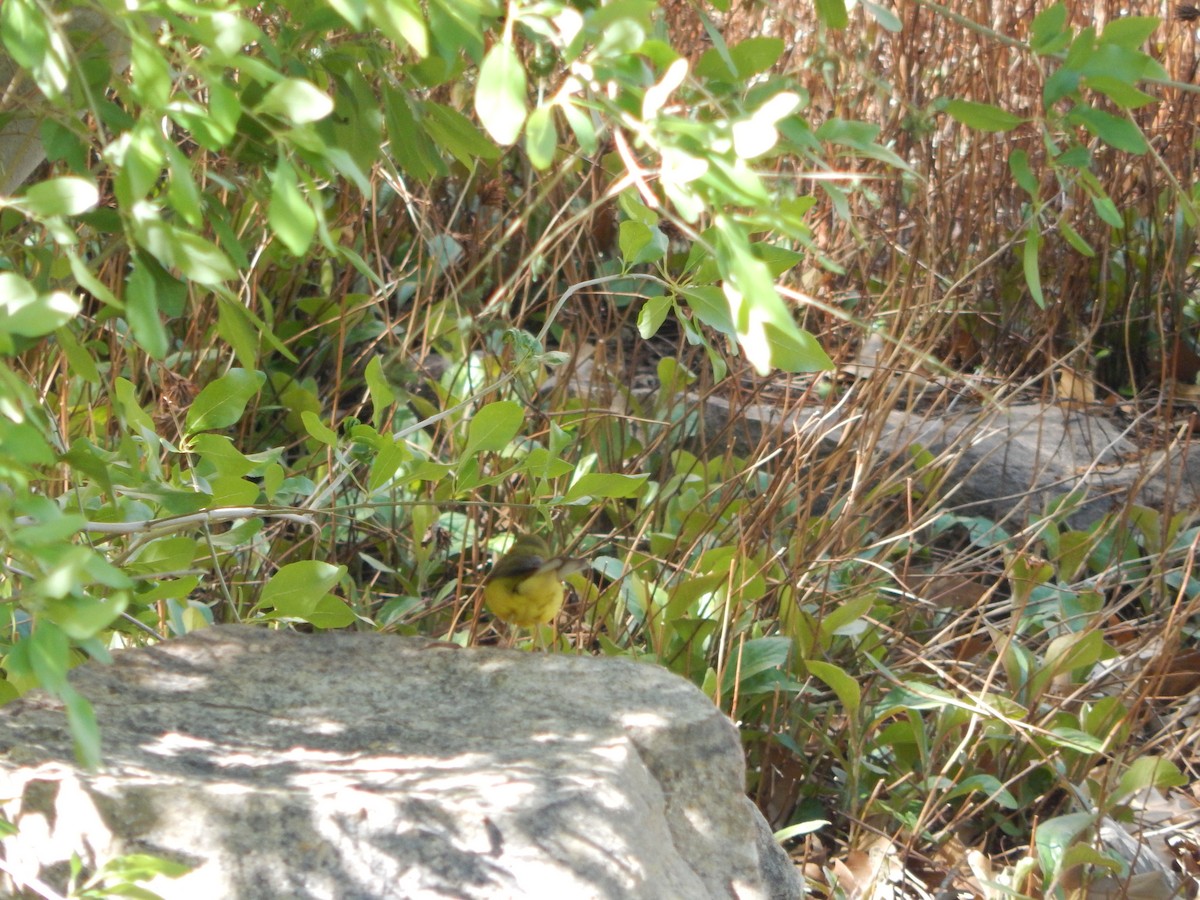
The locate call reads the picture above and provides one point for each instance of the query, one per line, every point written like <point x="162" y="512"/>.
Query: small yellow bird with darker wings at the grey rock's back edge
<point x="526" y="586"/>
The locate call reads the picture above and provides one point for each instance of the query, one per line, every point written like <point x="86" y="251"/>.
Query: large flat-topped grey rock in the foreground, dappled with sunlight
<point x="370" y="766"/>
